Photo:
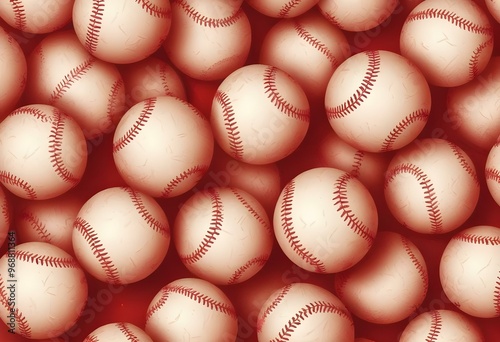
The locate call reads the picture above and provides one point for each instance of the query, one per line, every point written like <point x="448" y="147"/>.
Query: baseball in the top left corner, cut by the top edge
<point x="35" y="16"/>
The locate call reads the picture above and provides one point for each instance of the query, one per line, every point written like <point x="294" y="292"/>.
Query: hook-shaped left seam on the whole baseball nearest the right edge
<point x="430" y="196"/>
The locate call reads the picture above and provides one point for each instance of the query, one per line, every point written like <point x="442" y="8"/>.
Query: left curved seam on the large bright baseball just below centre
<point x="289" y="230"/>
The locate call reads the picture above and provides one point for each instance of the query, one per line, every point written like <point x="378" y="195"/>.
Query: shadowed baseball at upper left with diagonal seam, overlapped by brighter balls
<point x="65" y="75"/>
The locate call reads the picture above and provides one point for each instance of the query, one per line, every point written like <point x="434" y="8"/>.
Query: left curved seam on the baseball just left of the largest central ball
<point x="213" y="230"/>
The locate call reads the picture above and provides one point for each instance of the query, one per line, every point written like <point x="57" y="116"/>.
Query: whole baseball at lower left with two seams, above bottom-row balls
<point x="120" y="235"/>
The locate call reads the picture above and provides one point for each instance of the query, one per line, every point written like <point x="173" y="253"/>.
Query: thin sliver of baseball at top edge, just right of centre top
<point x="282" y="8"/>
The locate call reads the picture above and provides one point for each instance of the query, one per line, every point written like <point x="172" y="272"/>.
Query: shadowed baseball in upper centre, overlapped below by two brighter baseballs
<point x="308" y="48"/>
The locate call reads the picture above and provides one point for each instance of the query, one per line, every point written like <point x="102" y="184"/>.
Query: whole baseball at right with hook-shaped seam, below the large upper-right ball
<point x="431" y="186"/>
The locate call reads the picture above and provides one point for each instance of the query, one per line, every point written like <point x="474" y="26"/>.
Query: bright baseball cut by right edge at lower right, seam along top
<point x="470" y="271"/>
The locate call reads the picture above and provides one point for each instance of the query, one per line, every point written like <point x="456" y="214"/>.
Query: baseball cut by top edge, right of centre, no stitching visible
<point x="357" y="15"/>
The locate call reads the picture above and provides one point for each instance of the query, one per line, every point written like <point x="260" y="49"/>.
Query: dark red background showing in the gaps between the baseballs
<point x="129" y="303"/>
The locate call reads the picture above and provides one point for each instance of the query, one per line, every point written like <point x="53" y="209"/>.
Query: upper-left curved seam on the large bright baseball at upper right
<point x="363" y="90"/>
